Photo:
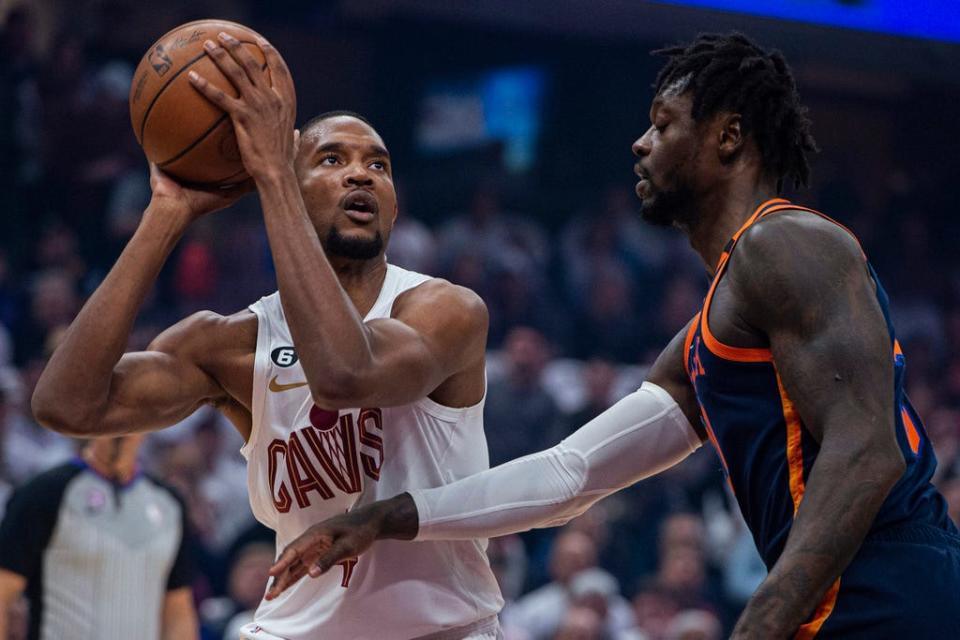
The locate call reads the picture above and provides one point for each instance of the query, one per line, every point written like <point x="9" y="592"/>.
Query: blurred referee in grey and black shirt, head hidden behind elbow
<point x="99" y="550"/>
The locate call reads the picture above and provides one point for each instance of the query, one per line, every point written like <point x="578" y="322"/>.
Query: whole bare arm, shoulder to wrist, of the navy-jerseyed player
<point x="804" y="283"/>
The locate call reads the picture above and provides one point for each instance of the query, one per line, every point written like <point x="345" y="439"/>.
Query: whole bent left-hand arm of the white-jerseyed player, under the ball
<point x="87" y="388"/>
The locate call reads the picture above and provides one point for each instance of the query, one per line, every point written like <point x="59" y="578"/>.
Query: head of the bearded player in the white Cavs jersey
<point x="347" y="184"/>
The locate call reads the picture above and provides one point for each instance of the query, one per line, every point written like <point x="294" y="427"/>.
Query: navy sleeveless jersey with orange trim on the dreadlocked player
<point x="766" y="450"/>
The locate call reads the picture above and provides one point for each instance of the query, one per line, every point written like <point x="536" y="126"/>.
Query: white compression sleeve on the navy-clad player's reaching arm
<point x="638" y="437"/>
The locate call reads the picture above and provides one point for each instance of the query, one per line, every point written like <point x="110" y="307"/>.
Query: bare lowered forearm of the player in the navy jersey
<point x="846" y="487"/>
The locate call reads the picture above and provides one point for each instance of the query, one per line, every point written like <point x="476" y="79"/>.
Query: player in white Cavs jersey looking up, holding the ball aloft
<point x="355" y="381"/>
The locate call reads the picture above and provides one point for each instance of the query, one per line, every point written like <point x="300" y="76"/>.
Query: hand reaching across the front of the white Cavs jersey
<point x="324" y="545"/>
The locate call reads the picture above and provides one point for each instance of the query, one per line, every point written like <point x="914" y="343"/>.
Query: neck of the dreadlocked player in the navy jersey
<point x="722" y="212"/>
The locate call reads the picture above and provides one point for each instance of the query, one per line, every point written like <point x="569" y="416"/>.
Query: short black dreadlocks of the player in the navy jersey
<point x="730" y="72"/>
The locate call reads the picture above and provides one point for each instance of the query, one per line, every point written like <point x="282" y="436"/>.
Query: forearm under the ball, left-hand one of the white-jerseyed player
<point x="73" y="390"/>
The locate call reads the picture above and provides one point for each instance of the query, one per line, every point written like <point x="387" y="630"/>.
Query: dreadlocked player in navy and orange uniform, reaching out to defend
<point x="791" y="370"/>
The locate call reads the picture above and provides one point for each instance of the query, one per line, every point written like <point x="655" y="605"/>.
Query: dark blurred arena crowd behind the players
<point x="510" y="126"/>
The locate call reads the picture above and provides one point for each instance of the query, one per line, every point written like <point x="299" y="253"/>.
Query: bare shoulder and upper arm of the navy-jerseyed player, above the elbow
<point x="806" y="285"/>
